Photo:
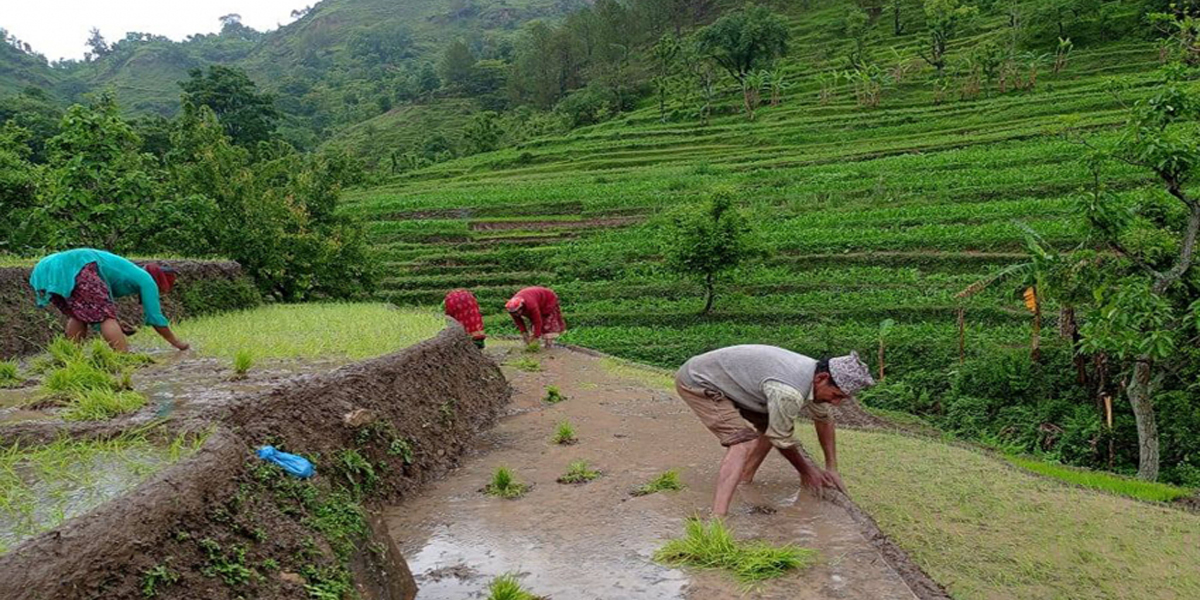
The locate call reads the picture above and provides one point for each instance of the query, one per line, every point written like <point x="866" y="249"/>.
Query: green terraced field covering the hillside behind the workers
<point x="869" y="214"/>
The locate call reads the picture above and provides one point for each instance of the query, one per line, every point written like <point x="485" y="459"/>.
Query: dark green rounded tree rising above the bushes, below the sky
<point x="248" y="116"/>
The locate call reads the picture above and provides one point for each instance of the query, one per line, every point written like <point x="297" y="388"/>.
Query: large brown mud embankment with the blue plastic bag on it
<point x="224" y="525"/>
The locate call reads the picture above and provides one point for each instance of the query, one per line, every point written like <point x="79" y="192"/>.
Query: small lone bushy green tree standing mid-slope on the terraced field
<point x="707" y="241"/>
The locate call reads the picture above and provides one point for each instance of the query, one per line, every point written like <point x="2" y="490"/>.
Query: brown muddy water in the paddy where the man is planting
<point x="596" y="541"/>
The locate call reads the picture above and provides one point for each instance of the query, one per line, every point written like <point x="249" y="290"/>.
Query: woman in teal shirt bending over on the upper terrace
<point x="83" y="284"/>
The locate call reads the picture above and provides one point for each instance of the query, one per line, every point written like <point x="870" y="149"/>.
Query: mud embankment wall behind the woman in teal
<point x="202" y="287"/>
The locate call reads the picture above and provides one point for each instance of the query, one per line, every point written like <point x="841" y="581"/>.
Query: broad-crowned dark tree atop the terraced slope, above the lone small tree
<point x="746" y="41"/>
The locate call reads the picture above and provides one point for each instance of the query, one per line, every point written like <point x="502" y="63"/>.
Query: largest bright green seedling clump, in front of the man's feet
<point x="712" y="547"/>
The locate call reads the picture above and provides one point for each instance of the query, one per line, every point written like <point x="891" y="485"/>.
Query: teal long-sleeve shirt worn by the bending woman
<point x="56" y="275"/>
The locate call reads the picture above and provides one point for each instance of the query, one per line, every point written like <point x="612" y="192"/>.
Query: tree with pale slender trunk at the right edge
<point x="1148" y="303"/>
